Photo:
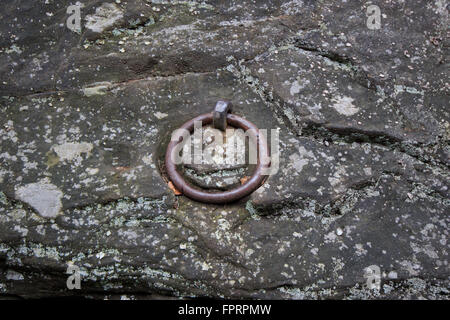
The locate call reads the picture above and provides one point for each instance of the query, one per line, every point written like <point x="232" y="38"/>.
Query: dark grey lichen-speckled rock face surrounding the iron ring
<point x="363" y="171"/>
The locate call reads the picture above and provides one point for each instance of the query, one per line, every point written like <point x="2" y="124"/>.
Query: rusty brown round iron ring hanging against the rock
<point x="255" y="181"/>
